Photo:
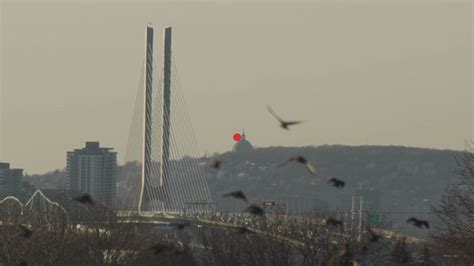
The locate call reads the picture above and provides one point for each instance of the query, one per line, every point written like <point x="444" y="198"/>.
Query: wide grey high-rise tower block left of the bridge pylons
<point x="92" y="170"/>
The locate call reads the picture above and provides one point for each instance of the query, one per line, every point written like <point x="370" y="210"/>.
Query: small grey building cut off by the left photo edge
<point x="10" y="181"/>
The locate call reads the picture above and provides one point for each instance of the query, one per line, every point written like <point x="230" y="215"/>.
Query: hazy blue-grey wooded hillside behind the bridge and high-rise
<point x="394" y="181"/>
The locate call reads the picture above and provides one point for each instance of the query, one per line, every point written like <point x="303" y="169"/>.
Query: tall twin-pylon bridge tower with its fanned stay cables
<point x="161" y="139"/>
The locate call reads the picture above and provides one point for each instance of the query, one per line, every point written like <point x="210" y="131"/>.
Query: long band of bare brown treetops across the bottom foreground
<point x="114" y="243"/>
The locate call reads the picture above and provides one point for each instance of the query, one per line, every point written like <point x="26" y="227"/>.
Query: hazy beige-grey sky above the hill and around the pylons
<point x="395" y="72"/>
